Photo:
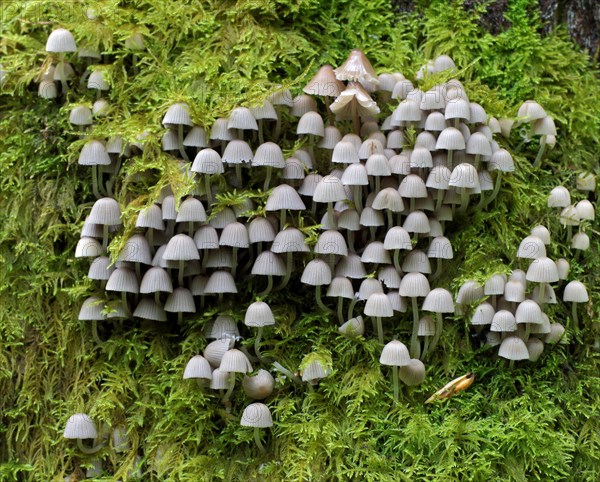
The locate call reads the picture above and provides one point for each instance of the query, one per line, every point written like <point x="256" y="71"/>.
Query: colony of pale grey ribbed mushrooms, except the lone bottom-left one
<point x="381" y="189"/>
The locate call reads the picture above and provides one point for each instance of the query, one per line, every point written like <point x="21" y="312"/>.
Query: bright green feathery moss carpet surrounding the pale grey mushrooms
<point x="540" y="421"/>
